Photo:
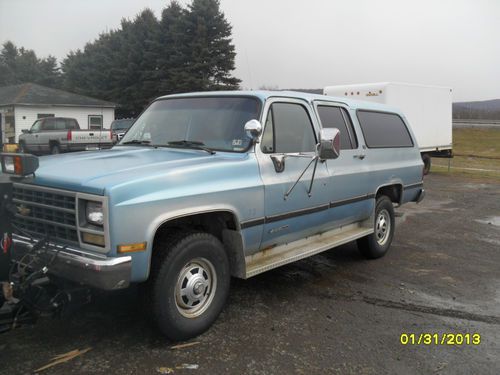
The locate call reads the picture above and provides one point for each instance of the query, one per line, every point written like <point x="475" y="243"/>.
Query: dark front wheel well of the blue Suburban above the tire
<point x="221" y="224"/>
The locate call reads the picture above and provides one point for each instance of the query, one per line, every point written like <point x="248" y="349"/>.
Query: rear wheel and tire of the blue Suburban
<point x="377" y="244"/>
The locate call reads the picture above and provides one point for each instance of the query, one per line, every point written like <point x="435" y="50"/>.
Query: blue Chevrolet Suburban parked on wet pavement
<point x="205" y="186"/>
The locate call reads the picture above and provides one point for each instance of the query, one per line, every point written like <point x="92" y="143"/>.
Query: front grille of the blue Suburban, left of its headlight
<point x="45" y="212"/>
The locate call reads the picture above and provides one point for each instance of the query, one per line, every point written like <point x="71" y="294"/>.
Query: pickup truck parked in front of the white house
<point x="54" y="135"/>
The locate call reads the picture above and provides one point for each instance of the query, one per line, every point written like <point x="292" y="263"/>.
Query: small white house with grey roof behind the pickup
<point x="21" y="105"/>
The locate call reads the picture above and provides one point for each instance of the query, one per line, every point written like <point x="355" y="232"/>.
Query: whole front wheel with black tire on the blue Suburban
<point x="189" y="286"/>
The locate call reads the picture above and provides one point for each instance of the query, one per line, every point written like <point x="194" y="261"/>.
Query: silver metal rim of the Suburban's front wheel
<point x="195" y="287"/>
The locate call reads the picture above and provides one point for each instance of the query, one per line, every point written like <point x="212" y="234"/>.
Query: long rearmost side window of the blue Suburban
<point x="383" y="129"/>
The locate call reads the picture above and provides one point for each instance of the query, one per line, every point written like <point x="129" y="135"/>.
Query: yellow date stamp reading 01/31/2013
<point x="445" y="339"/>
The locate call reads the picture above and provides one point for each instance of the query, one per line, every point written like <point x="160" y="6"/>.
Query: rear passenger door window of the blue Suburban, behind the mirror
<point x="336" y="117"/>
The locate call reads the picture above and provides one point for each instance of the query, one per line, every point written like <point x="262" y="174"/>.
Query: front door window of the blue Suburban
<point x="288" y="129"/>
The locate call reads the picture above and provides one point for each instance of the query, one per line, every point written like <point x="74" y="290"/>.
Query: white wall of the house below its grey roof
<point x="27" y="115"/>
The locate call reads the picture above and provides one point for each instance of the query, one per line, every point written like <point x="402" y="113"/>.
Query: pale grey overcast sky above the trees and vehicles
<point x="306" y="44"/>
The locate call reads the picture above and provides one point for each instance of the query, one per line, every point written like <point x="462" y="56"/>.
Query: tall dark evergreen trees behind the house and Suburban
<point x="188" y="49"/>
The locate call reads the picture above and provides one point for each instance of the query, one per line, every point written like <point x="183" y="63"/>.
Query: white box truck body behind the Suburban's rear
<point x="427" y="109"/>
